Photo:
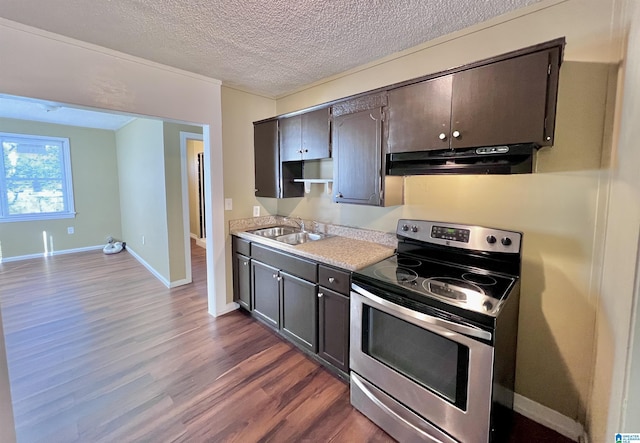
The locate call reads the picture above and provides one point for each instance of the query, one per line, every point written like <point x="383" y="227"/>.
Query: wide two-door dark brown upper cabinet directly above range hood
<point x="506" y="102"/>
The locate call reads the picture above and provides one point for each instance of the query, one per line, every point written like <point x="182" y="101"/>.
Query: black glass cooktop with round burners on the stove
<point x="423" y="280"/>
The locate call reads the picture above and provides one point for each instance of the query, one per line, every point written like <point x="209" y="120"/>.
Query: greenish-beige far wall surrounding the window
<point x="95" y="188"/>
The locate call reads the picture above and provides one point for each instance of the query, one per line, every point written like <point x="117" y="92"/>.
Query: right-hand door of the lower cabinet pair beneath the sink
<point x="299" y="311"/>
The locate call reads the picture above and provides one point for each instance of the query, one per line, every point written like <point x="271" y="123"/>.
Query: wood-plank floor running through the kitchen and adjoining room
<point x="100" y="351"/>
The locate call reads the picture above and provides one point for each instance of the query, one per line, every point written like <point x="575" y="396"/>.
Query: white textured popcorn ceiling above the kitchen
<point x="269" y="47"/>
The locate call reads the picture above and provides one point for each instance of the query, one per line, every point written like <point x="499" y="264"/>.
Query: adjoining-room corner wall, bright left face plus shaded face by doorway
<point x="149" y="164"/>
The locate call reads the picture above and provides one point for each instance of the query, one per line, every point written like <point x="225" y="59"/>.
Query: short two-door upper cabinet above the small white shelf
<point x="305" y="136"/>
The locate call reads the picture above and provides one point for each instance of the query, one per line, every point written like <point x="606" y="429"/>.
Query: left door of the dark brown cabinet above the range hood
<point x="419" y="116"/>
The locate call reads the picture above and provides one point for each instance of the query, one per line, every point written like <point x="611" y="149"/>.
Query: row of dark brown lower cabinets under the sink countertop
<point x="306" y="302"/>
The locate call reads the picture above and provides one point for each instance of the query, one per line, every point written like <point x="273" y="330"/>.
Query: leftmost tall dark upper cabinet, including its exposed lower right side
<point x="272" y="177"/>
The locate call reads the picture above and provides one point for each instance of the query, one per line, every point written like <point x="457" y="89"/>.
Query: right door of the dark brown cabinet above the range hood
<point x="501" y="103"/>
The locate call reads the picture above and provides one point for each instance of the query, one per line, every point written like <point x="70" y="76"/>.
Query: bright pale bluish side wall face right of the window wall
<point x="141" y="167"/>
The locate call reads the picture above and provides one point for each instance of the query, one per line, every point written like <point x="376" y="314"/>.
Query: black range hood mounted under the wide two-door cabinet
<point x="512" y="159"/>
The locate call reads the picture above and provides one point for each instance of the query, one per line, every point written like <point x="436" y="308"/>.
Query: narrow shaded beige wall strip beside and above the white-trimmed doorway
<point x="173" y="191"/>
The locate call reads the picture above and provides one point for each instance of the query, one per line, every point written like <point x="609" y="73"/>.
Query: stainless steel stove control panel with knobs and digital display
<point x="461" y="236"/>
